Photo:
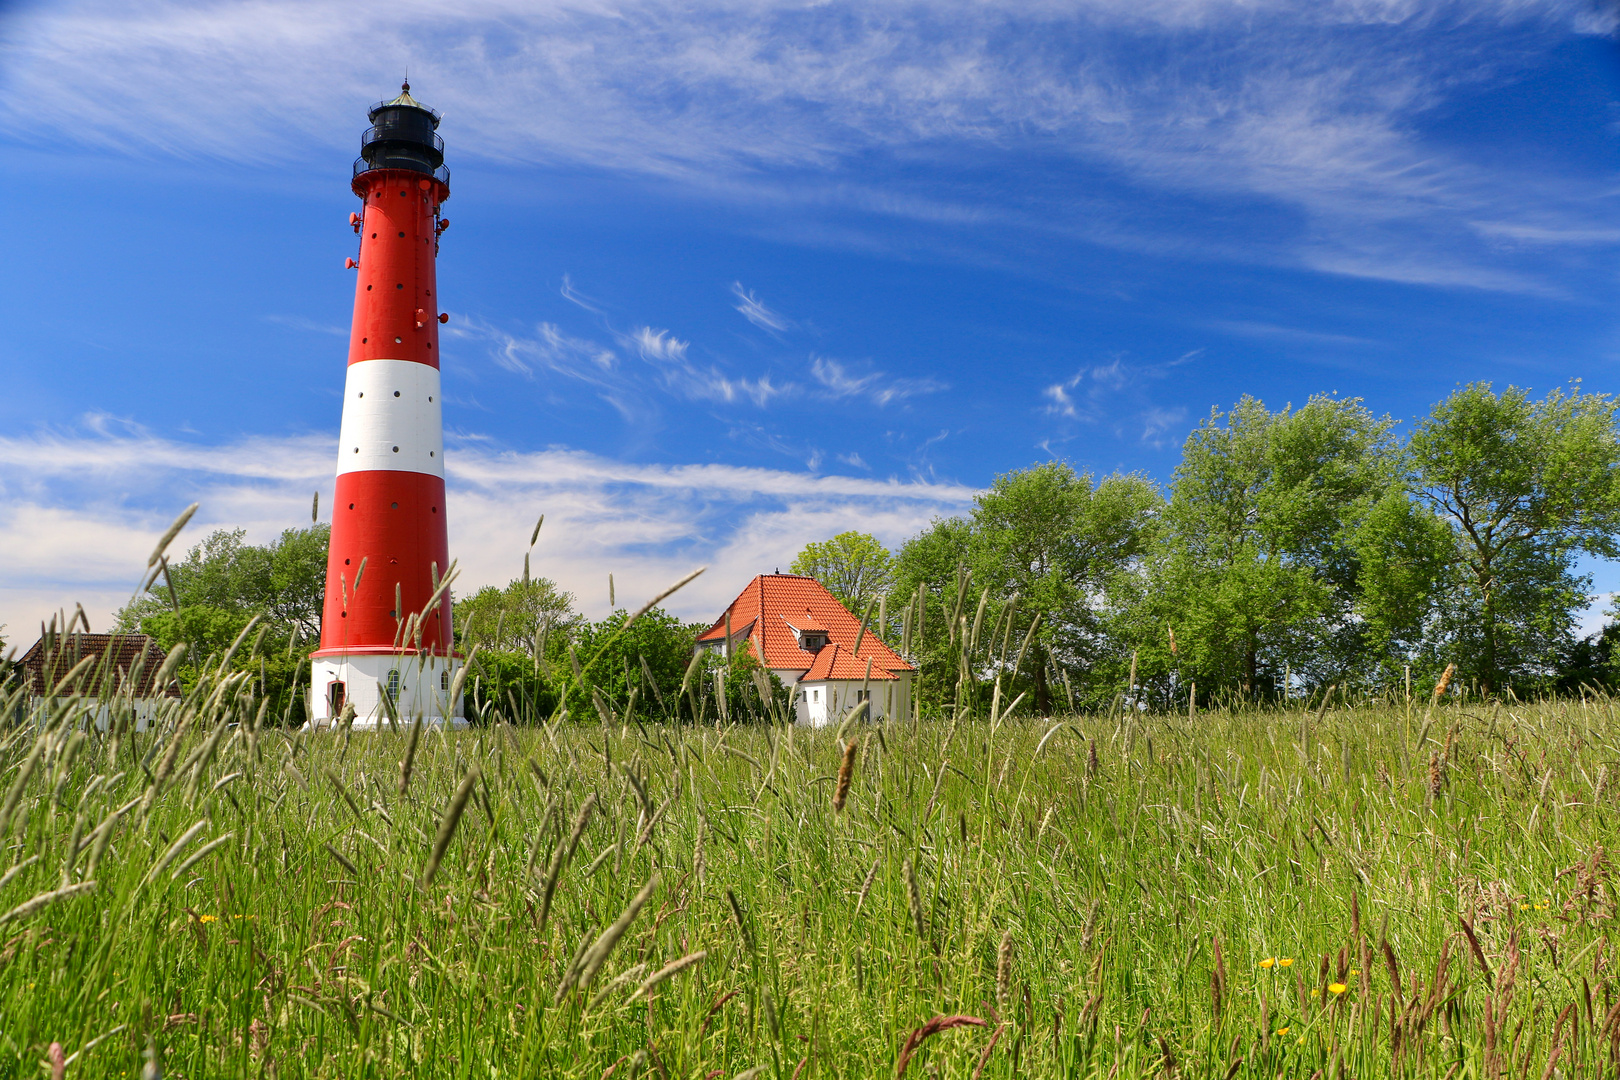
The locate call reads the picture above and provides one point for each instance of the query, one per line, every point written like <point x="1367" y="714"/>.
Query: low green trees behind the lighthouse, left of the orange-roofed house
<point x="524" y="640"/>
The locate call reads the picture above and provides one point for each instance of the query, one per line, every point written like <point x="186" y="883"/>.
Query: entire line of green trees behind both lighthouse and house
<point x="1290" y="551"/>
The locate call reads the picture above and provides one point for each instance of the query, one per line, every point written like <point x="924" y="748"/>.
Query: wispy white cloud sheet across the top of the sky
<point x="1313" y="109"/>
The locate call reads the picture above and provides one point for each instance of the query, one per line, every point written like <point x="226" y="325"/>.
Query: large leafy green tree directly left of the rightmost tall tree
<point x="1258" y="569"/>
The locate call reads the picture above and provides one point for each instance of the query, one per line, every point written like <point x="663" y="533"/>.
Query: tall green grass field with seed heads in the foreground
<point x="1242" y="895"/>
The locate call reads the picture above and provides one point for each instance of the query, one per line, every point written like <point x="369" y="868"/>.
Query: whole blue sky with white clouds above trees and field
<point x="731" y="276"/>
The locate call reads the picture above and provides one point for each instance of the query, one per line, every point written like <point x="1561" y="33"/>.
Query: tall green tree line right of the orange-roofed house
<point x="1290" y="551"/>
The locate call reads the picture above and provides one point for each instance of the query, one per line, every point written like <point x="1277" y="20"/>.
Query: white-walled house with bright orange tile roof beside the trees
<point x="814" y="645"/>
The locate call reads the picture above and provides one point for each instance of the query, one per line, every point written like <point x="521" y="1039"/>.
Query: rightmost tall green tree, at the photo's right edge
<point x="1525" y="487"/>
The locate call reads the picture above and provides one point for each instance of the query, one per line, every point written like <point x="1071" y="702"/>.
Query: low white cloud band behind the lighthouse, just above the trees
<point x="80" y="514"/>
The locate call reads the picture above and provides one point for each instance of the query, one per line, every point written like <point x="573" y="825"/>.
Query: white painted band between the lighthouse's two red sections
<point x="393" y="419"/>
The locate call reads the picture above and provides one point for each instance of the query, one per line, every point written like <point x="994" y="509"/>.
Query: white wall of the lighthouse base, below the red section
<point x="424" y="689"/>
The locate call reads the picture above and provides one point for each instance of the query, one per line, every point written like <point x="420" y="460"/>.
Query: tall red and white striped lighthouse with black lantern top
<point x="386" y="645"/>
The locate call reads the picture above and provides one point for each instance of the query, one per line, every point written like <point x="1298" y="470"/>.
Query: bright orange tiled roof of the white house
<point x="774" y="605"/>
